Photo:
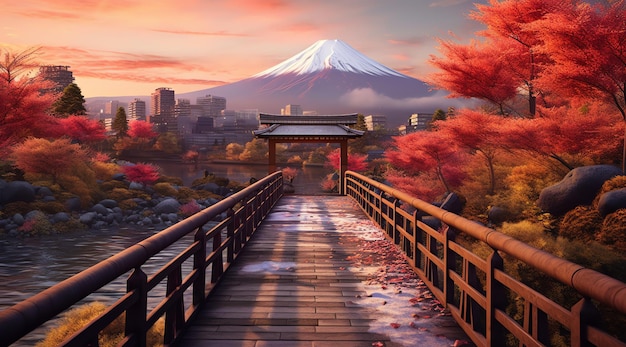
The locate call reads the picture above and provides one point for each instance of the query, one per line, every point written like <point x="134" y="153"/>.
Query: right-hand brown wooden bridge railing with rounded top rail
<point x="476" y="290"/>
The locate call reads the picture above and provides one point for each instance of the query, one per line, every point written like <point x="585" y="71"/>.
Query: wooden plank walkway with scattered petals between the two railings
<point x="315" y="274"/>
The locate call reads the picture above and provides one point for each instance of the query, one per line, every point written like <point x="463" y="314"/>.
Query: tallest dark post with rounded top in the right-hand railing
<point x="496" y="300"/>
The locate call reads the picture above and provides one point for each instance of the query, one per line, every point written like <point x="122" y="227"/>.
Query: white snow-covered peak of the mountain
<point x="329" y="54"/>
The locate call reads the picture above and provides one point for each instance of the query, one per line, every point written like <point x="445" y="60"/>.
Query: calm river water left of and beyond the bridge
<point x="28" y="266"/>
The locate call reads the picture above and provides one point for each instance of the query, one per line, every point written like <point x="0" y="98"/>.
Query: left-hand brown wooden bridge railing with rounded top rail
<point x="210" y="252"/>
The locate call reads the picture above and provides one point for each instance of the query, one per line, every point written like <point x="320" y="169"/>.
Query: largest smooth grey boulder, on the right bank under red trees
<point x="579" y="187"/>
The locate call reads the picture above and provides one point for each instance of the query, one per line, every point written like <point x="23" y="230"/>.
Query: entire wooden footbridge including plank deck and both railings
<point x="314" y="271"/>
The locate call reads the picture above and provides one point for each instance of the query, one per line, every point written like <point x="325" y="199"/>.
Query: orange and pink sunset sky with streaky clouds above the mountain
<point x="131" y="47"/>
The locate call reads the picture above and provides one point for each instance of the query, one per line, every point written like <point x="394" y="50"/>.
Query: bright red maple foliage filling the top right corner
<point x="587" y="47"/>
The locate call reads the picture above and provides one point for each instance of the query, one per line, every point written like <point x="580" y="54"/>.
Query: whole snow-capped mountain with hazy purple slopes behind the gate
<point x="330" y="77"/>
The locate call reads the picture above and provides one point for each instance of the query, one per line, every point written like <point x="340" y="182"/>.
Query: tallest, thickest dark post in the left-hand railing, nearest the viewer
<point x="136" y="314"/>
